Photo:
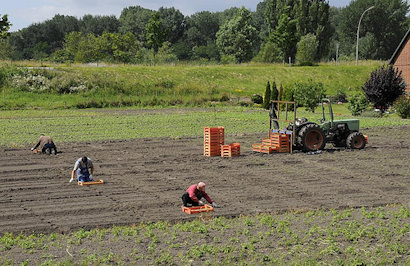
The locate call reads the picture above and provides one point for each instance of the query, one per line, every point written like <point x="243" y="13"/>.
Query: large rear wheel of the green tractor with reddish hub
<point x="311" y="138"/>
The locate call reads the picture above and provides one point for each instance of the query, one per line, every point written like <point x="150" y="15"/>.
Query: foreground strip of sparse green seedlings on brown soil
<point x="375" y="236"/>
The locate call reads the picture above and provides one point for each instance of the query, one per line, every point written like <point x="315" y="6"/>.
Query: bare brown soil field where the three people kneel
<point x="145" y="178"/>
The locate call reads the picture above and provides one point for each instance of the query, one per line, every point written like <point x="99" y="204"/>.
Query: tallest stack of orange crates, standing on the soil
<point x="214" y="137"/>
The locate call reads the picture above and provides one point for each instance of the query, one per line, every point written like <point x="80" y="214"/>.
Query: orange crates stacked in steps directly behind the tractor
<point x="278" y="142"/>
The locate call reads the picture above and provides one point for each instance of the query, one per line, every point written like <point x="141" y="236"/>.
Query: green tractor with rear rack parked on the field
<point x="309" y="136"/>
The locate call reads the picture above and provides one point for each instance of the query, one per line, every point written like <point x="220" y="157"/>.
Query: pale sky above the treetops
<point x="23" y="13"/>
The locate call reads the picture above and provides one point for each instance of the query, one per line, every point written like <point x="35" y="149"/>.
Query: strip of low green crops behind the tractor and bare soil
<point x="22" y="127"/>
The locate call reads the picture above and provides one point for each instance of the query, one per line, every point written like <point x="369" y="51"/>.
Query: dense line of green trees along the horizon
<point x="307" y="31"/>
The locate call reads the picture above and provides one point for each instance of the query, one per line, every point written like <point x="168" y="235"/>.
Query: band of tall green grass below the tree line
<point x="118" y="85"/>
